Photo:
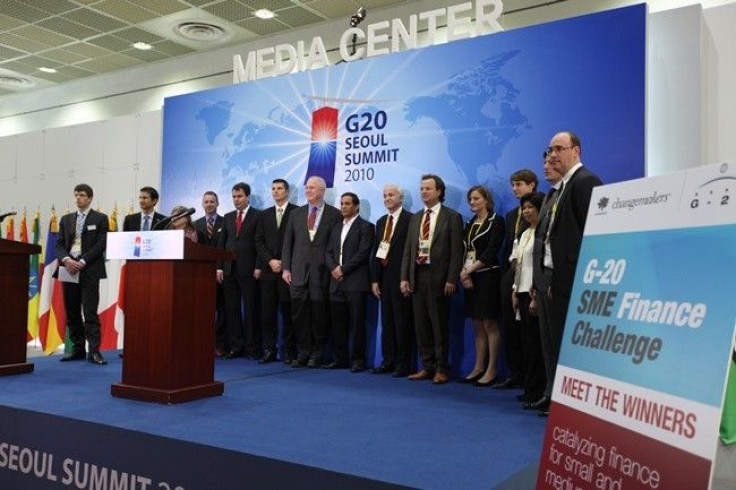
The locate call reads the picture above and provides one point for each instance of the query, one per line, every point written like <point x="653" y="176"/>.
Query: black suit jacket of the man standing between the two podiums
<point x="94" y="241"/>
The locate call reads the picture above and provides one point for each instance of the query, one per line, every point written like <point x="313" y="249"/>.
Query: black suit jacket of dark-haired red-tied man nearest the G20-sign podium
<point x="243" y="243"/>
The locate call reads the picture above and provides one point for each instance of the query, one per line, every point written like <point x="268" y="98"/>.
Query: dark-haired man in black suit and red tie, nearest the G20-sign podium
<point x="239" y="276"/>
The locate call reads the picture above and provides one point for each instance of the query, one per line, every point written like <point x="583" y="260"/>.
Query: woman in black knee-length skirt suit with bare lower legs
<point x="480" y="276"/>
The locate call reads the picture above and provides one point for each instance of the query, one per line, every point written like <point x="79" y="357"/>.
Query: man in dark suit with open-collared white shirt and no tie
<point x="347" y="258"/>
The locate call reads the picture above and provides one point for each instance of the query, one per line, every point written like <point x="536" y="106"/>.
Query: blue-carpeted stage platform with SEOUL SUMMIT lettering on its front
<point x="275" y="427"/>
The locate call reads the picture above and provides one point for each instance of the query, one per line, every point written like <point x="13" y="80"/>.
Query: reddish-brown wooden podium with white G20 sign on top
<point x="169" y="339"/>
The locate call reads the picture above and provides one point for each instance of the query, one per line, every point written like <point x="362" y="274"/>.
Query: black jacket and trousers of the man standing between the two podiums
<point x="84" y="296"/>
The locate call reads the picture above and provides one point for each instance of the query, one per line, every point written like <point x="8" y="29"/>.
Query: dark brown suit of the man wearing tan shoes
<point x="427" y="283"/>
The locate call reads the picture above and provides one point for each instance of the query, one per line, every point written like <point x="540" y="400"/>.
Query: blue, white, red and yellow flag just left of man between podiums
<point x="52" y="316"/>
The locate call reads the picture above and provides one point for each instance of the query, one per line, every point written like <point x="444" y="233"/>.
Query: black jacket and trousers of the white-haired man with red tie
<point x="396" y="314"/>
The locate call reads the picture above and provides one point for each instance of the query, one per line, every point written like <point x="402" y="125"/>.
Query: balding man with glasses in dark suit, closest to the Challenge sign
<point x="567" y="216"/>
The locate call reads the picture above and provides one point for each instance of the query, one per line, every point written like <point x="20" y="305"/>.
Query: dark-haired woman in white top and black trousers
<point x="534" y="376"/>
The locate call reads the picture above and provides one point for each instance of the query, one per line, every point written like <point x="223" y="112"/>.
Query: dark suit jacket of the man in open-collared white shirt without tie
<point x="356" y="251"/>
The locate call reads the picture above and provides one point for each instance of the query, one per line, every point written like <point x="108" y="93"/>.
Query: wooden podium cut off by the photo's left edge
<point x="14" y="267"/>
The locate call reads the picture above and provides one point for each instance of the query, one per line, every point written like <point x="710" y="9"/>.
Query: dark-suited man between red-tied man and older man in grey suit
<point x="274" y="291"/>
